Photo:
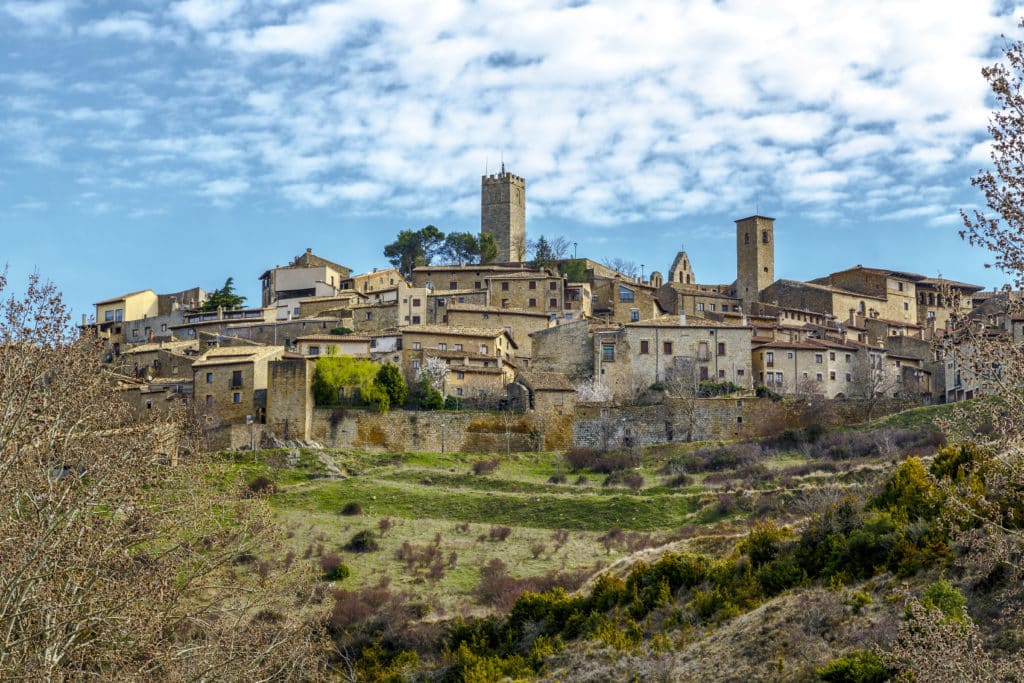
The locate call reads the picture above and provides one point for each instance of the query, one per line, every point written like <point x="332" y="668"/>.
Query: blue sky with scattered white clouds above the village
<point x="172" y="145"/>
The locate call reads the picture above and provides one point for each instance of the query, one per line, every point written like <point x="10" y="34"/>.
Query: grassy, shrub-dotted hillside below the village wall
<point x="437" y="550"/>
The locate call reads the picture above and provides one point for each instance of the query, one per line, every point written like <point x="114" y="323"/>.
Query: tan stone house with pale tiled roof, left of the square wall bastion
<point x="230" y="383"/>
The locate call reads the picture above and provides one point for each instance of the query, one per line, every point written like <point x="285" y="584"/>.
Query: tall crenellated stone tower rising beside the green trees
<point x="503" y="215"/>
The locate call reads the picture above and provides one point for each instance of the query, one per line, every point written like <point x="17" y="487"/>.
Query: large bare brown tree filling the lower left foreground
<point x="115" y="565"/>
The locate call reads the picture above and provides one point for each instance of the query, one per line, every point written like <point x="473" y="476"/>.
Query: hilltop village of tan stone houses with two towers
<point x="572" y="344"/>
